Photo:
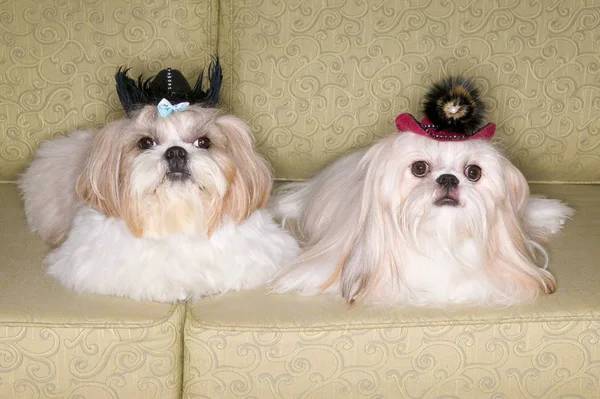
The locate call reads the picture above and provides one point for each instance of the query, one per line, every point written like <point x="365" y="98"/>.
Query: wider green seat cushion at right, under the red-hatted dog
<point x="283" y="346"/>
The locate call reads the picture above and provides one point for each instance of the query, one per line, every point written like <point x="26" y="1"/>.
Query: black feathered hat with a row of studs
<point x="169" y="84"/>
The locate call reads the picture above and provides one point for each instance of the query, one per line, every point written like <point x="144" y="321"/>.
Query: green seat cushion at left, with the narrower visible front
<point x="55" y="343"/>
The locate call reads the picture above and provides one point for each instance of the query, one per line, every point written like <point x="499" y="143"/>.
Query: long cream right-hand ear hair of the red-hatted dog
<point x="511" y="255"/>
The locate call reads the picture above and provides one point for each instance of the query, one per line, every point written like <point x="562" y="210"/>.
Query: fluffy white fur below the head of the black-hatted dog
<point x="102" y="256"/>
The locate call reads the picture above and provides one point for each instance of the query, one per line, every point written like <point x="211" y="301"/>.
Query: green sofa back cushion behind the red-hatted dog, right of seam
<point x="316" y="79"/>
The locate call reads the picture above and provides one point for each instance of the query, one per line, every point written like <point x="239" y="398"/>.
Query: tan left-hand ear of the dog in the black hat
<point x="98" y="184"/>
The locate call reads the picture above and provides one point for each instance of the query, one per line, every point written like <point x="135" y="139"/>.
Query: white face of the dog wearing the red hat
<point x="454" y="187"/>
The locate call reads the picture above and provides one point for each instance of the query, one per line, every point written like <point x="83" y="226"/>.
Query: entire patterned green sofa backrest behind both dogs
<point x="315" y="79"/>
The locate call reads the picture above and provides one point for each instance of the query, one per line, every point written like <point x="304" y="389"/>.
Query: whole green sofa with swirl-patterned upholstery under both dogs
<point x="314" y="79"/>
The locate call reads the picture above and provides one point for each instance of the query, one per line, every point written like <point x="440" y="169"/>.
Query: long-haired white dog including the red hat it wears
<point x="426" y="216"/>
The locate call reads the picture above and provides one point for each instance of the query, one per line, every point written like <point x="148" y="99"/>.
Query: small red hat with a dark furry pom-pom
<point x="453" y="111"/>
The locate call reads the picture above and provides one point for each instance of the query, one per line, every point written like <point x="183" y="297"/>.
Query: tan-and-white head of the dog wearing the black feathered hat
<point x="179" y="174"/>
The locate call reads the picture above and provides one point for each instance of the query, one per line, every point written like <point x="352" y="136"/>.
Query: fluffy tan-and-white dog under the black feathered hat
<point x="157" y="208"/>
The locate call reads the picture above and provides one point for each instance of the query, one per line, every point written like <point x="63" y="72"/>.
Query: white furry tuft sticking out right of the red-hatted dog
<point x="546" y="217"/>
